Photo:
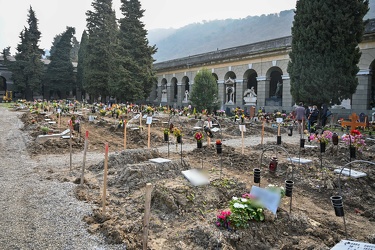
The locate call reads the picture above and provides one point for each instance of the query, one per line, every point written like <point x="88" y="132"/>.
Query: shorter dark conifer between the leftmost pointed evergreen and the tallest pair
<point x="59" y="78"/>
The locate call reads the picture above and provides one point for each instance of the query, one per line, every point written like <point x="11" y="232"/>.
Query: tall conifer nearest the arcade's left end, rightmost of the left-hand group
<point x="134" y="76"/>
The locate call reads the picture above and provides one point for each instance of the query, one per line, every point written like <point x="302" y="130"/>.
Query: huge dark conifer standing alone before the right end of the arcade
<point x="325" y="53"/>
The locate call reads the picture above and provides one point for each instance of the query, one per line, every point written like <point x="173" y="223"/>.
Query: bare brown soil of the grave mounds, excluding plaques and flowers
<point x="183" y="216"/>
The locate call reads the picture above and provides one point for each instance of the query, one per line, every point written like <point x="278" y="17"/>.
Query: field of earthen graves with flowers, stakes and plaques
<point x="193" y="186"/>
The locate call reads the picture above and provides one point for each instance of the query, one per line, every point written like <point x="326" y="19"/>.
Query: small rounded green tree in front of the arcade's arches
<point x="204" y="94"/>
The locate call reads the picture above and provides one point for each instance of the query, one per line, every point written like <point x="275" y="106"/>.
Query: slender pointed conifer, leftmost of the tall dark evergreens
<point x="27" y="70"/>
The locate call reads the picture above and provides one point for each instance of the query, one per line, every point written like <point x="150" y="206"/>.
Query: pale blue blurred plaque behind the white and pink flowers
<point x="269" y="199"/>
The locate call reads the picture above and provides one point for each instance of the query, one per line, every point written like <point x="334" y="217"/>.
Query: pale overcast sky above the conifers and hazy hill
<point x="55" y="15"/>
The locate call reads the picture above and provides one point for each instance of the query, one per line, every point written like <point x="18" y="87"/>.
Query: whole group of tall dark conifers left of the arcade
<point x="114" y="57"/>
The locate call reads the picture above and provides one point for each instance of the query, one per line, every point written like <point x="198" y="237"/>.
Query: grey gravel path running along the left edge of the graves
<point x="37" y="213"/>
